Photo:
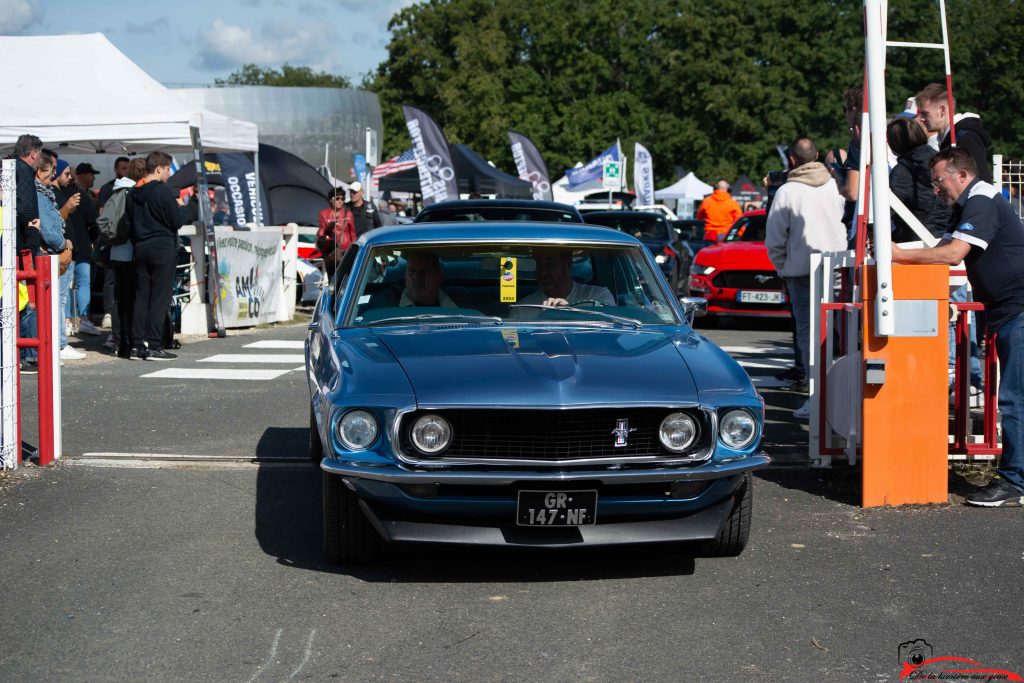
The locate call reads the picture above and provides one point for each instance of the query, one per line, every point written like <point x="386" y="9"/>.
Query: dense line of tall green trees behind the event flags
<point x="713" y="87"/>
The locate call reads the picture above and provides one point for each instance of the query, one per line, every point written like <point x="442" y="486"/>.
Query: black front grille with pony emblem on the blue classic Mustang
<point x="554" y="437"/>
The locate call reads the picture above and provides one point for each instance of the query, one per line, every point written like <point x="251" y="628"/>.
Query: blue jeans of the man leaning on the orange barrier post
<point x="1010" y="347"/>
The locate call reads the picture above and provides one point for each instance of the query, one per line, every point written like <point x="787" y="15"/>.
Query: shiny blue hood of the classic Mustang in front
<point x="535" y="366"/>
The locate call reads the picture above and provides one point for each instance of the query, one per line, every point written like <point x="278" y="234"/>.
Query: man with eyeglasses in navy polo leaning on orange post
<point x="988" y="236"/>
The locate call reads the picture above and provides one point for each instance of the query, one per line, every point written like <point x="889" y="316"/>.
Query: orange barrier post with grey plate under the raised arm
<point x="906" y="408"/>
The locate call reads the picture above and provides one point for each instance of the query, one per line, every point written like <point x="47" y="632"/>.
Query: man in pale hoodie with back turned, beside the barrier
<point x="806" y="218"/>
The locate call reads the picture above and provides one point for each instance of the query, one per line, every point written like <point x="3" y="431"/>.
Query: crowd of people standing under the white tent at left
<point x="60" y="212"/>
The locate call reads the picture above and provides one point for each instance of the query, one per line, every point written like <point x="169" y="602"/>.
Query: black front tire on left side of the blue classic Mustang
<point x="349" y="536"/>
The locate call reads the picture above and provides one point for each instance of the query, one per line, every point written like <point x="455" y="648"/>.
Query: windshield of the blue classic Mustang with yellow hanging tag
<point x="505" y="284"/>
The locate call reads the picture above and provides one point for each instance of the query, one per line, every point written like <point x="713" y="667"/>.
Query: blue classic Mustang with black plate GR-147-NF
<point x="523" y="385"/>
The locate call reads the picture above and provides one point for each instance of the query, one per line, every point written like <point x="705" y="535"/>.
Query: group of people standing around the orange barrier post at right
<point x="940" y="170"/>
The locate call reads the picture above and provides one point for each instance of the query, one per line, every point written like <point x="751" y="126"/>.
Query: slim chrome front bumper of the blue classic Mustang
<point x="402" y="476"/>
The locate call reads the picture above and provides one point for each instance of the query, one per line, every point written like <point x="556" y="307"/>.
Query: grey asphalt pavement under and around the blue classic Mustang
<point x="142" y="558"/>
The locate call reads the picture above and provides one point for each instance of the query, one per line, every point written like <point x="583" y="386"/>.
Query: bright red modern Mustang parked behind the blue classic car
<point x="736" y="275"/>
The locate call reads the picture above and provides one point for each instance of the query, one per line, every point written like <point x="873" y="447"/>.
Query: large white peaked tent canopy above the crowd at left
<point x="82" y="94"/>
